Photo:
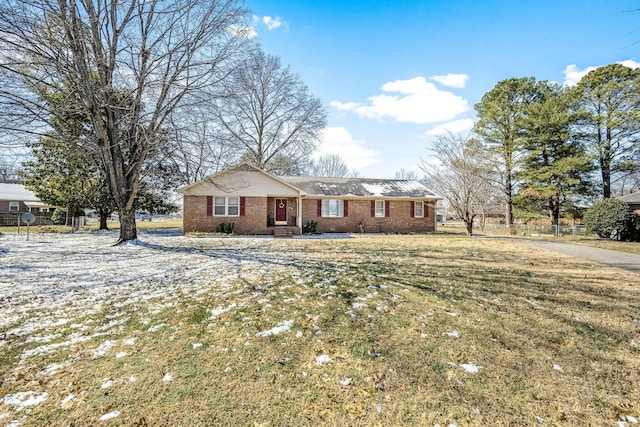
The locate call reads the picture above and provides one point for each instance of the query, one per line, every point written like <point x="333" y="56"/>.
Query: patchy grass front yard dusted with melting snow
<point x="374" y="330"/>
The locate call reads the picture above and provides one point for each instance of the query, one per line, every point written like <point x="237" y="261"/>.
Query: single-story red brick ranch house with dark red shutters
<point x="257" y="202"/>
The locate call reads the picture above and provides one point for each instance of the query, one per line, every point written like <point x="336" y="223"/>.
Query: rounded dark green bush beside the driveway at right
<point x="612" y="219"/>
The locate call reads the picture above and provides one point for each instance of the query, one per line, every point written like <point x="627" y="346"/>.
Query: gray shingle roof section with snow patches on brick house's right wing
<point x="369" y="187"/>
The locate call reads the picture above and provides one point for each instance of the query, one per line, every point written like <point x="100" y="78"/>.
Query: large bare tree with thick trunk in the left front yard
<point x="157" y="52"/>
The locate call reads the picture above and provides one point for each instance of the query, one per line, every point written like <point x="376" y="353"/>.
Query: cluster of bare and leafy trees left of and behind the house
<point x="120" y="101"/>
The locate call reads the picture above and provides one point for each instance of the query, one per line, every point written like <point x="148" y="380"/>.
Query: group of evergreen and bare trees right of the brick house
<point x="540" y="149"/>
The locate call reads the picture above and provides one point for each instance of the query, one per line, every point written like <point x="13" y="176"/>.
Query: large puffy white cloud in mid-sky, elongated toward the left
<point x="409" y="101"/>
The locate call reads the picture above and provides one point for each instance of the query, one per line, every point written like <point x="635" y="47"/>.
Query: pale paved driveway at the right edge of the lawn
<point x="626" y="261"/>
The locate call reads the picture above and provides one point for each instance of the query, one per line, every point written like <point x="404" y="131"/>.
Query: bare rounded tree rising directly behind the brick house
<point x="268" y="112"/>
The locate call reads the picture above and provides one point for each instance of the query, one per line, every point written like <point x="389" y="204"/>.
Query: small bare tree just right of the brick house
<point x="459" y="176"/>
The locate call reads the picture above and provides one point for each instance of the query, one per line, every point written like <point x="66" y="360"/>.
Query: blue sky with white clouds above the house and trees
<point x="394" y="74"/>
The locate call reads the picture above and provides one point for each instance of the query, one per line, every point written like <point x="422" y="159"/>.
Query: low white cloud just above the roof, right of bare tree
<point x="338" y="140"/>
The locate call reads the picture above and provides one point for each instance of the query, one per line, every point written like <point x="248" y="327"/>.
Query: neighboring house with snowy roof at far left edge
<point x="15" y="199"/>
